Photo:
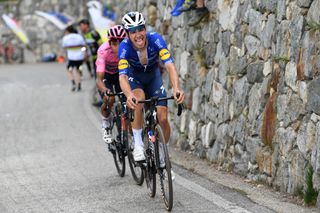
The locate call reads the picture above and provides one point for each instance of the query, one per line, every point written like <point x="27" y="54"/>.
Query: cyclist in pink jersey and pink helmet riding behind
<point x="108" y="75"/>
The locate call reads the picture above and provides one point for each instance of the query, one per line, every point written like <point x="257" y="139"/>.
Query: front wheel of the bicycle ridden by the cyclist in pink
<point x="135" y="169"/>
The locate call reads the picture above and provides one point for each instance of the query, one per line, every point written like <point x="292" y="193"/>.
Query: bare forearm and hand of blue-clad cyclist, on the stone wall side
<point x="174" y="78"/>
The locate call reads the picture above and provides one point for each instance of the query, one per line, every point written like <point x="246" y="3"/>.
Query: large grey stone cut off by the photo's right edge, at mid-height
<point x="313" y="103"/>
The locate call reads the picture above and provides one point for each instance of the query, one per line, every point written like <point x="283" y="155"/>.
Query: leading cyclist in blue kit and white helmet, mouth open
<point x="140" y="76"/>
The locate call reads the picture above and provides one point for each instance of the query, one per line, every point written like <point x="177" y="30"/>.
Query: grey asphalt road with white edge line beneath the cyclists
<point x="53" y="159"/>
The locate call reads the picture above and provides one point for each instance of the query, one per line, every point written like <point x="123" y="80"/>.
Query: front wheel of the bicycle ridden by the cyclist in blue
<point x="164" y="173"/>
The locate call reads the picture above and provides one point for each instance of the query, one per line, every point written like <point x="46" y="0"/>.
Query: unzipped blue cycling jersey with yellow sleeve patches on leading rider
<point x="129" y="58"/>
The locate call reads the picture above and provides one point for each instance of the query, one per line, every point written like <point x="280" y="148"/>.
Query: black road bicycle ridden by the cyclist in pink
<point x="122" y="144"/>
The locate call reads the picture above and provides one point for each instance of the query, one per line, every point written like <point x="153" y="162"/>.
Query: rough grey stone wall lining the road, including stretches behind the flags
<point x="251" y="77"/>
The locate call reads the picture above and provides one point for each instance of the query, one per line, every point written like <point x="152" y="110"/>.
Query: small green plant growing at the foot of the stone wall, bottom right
<point x="310" y="194"/>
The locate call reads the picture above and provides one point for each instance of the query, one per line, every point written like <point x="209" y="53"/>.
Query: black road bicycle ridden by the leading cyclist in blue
<point x="156" y="152"/>
